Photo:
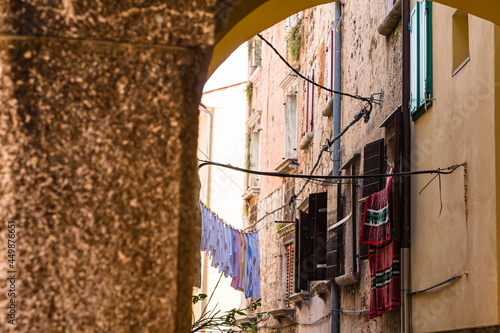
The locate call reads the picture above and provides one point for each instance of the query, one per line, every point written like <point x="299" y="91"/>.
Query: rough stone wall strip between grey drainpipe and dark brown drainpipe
<point x="370" y="63"/>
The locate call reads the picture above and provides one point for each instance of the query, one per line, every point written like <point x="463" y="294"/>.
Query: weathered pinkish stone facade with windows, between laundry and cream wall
<point x="288" y="141"/>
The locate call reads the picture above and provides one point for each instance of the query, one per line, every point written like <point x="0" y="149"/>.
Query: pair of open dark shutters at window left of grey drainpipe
<point x="310" y="243"/>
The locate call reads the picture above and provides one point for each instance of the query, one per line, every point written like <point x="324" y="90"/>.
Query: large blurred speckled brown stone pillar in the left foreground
<point x="98" y="132"/>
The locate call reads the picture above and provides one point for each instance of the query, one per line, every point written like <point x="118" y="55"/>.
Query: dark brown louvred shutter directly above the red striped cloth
<point x="373" y="163"/>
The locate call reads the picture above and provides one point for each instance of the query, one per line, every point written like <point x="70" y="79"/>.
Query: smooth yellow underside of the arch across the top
<point x="248" y="17"/>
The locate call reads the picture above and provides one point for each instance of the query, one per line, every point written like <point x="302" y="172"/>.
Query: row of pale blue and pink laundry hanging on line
<point x="234" y="252"/>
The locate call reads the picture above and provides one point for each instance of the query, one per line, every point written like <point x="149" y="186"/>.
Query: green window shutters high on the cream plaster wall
<point x="421" y="58"/>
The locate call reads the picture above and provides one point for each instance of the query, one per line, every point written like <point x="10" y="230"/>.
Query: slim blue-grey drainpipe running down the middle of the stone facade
<point x="335" y="325"/>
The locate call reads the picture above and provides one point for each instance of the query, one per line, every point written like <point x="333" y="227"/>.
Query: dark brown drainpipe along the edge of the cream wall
<point x="405" y="197"/>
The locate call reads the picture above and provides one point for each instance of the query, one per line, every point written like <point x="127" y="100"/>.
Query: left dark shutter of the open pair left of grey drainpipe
<point x="304" y="244"/>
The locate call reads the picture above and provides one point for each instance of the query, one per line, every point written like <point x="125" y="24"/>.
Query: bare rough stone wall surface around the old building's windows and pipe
<point x="370" y="63"/>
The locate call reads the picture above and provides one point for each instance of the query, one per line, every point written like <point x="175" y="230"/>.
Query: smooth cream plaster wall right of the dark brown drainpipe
<point x="458" y="128"/>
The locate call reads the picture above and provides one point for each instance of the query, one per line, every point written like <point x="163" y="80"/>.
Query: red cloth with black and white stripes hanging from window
<point x="383" y="257"/>
